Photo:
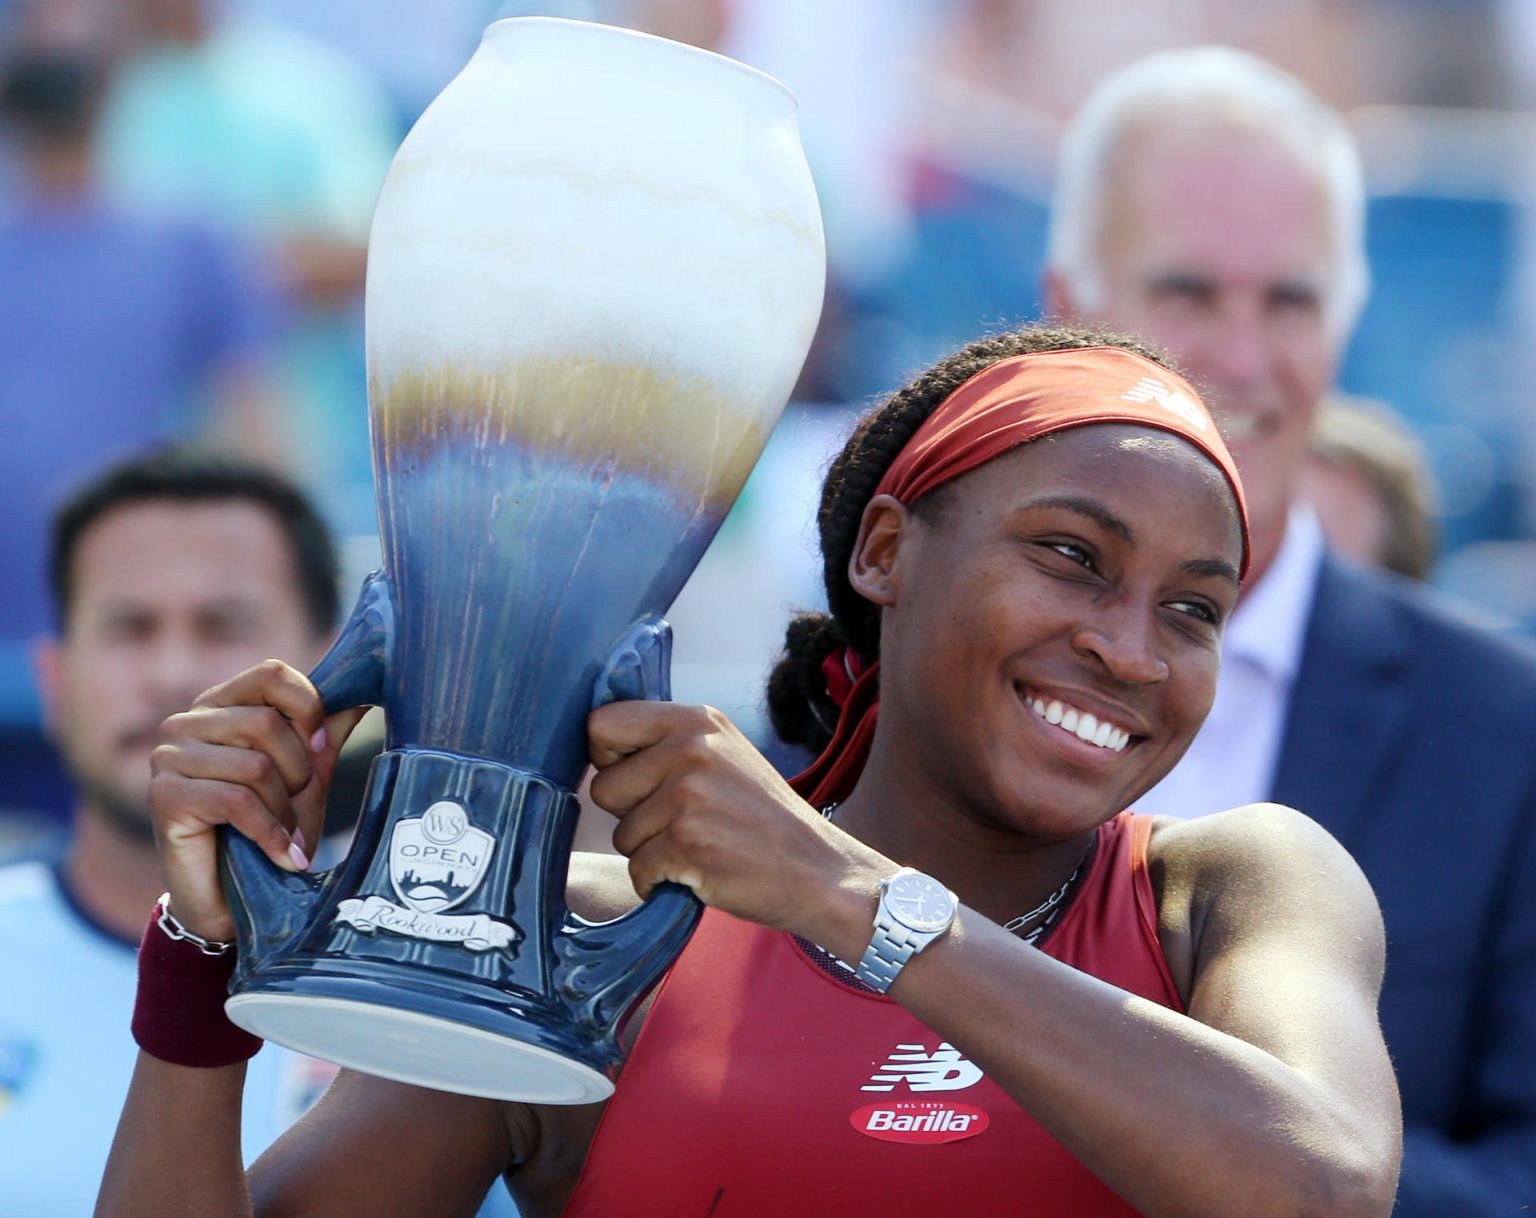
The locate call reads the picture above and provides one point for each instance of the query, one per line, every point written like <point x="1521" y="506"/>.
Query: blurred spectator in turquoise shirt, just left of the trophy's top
<point x="240" y="121"/>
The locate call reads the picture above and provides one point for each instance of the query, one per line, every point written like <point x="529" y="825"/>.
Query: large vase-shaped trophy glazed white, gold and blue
<point x="594" y="277"/>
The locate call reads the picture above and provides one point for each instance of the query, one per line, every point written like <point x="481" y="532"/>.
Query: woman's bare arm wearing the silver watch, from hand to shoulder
<point x="1273" y="1097"/>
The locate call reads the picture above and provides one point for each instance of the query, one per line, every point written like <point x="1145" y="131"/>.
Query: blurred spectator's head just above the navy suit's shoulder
<point x="1368" y="480"/>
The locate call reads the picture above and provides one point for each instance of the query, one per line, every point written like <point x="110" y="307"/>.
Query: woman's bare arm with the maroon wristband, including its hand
<point x="251" y="755"/>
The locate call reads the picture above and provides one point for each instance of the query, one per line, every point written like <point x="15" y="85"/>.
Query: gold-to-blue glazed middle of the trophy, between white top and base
<point x="558" y="501"/>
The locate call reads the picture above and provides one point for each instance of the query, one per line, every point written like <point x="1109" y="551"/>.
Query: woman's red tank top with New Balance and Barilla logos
<point x="764" y="1087"/>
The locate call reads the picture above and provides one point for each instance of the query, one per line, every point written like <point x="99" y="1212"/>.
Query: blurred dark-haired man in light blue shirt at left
<point x="168" y="574"/>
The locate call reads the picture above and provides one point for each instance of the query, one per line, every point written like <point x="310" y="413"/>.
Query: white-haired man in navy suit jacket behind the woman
<point x="1211" y="204"/>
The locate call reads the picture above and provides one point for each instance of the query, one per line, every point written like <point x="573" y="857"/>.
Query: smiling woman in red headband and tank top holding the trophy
<point x="1030" y="557"/>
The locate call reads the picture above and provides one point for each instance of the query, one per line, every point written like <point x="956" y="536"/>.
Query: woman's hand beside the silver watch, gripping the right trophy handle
<point x="701" y="807"/>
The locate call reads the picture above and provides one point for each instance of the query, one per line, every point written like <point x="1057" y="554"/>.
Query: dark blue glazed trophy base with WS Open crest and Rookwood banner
<point x="325" y="978"/>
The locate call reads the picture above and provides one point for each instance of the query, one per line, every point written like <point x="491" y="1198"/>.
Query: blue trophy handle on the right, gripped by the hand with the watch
<point x="607" y="967"/>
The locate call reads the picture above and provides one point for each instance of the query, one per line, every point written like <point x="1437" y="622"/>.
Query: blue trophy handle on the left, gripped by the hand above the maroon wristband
<point x="271" y="905"/>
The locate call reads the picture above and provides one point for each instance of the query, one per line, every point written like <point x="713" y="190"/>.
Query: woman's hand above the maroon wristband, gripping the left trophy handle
<point x="256" y="753"/>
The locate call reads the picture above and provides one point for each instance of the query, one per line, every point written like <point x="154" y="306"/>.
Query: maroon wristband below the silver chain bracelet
<point x="179" y="1014"/>
